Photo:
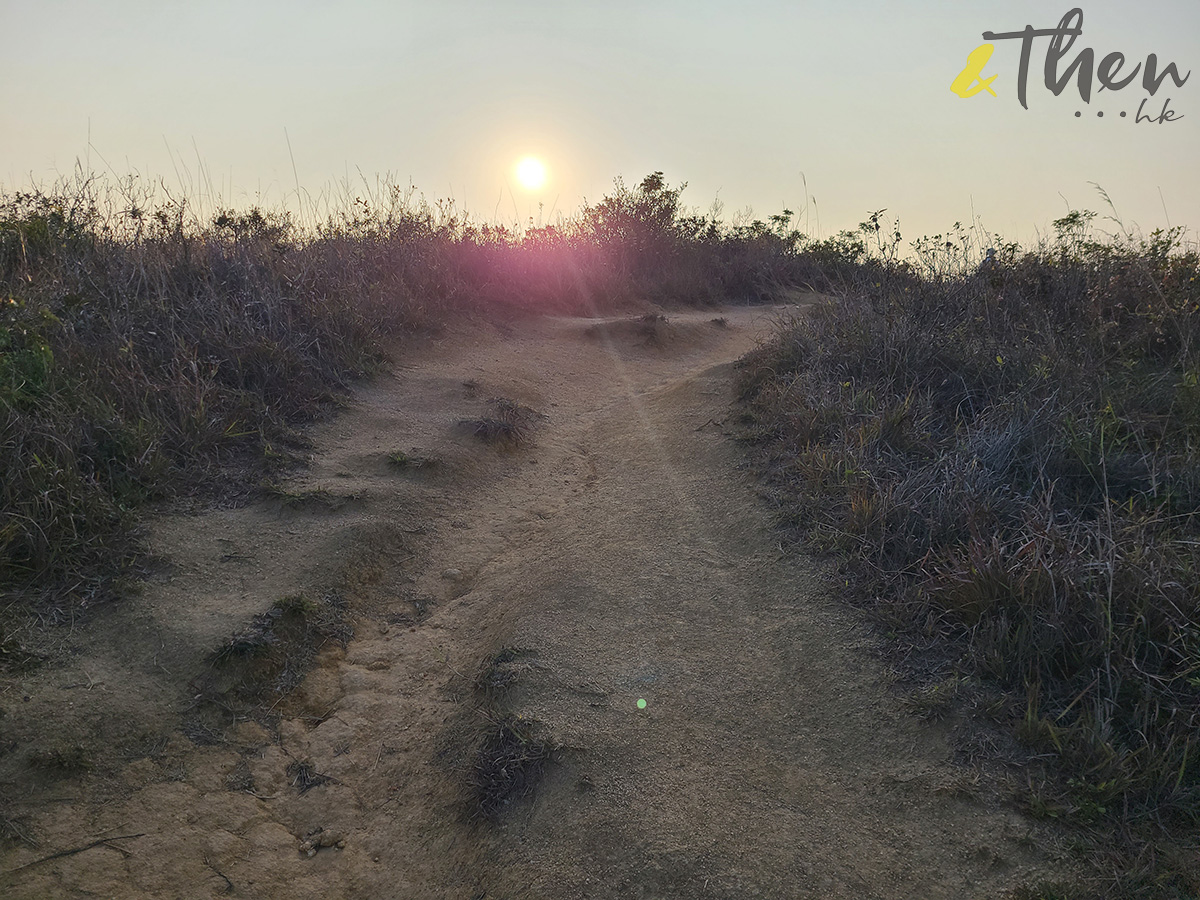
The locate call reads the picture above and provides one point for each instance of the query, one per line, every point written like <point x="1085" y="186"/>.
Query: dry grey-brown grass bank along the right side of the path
<point x="1009" y="464"/>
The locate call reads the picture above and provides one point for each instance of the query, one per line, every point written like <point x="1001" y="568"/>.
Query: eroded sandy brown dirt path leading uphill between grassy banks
<point x="620" y="556"/>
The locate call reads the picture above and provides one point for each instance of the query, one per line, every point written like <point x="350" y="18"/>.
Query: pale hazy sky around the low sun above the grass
<point x="739" y="100"/>
